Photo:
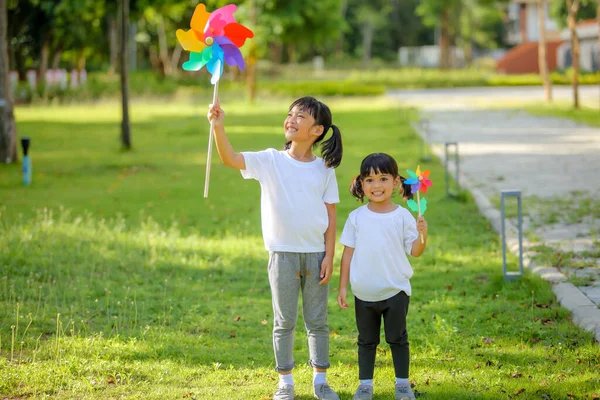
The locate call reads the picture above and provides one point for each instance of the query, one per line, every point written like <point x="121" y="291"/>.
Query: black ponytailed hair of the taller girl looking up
<point x="331" y="149"/>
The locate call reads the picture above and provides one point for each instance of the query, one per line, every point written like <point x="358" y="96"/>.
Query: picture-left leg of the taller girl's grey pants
<point x="285" y="285"/>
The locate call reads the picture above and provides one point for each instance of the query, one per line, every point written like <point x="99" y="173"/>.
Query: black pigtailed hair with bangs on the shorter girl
<point x="379" y="163"/>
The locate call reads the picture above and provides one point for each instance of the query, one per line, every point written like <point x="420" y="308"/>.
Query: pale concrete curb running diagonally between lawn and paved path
<point x="585" y="313"/>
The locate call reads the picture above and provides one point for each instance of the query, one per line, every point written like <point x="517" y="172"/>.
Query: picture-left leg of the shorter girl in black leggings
<point x="368" y="322"/>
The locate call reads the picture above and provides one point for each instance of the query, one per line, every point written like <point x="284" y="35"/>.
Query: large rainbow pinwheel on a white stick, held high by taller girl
<point x="215" y="39"/>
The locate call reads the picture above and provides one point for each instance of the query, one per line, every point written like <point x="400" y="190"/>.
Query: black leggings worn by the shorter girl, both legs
<point x="368" y="321"/>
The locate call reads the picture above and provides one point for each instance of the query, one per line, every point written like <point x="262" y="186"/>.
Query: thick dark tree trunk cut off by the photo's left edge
<point x="8" y="129"/>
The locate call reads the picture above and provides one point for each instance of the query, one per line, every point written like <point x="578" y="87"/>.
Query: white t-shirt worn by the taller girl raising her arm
<point x="293" y="196"/>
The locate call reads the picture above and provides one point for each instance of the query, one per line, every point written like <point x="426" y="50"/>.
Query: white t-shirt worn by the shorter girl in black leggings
<point x="379" y="268"/>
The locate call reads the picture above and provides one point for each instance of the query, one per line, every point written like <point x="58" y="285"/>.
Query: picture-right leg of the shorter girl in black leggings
<point x="394" y="317"/>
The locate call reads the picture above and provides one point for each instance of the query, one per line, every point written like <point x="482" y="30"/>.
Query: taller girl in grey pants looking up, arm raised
<point x="298" y="196"/>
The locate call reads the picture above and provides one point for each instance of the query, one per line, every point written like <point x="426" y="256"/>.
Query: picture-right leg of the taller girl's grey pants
<point x="314" y="310"/>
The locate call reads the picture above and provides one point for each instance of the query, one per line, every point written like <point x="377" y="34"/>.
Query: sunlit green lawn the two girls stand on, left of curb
<point x="119" y="281"/>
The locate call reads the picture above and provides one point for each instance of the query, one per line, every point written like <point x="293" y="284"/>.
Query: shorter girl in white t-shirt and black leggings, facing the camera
<point x="376" y="239"/>
